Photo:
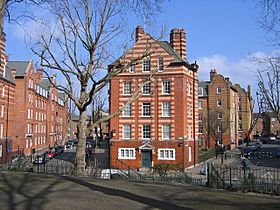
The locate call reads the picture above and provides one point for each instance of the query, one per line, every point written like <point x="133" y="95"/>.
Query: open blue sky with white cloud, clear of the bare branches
<point x="220" y="34"/>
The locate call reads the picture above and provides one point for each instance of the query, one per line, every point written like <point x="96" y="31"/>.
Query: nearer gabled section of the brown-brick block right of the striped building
<point x="217" y="105"/>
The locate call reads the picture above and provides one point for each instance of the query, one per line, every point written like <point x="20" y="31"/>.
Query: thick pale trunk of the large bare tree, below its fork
<point x="80" y="163"/>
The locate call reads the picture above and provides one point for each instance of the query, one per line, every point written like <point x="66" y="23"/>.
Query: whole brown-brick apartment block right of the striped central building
<point x="221" y="96"/>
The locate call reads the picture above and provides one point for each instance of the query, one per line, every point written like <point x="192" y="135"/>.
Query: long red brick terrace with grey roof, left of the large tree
<point x="41" y="111"/>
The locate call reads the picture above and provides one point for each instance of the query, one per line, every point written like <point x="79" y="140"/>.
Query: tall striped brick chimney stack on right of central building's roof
<point x="178" y="41"/>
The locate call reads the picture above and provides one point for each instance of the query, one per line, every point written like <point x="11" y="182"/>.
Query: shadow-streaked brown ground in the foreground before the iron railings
<point x="39" y="192"/>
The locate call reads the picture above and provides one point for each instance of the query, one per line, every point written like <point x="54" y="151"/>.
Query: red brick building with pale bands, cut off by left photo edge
<point x="7" y="104"/>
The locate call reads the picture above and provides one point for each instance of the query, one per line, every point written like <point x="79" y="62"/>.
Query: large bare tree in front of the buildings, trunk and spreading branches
<point x="80" y="53"/>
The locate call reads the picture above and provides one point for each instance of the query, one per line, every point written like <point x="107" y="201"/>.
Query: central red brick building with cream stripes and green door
<point x="160" y="126"/>
